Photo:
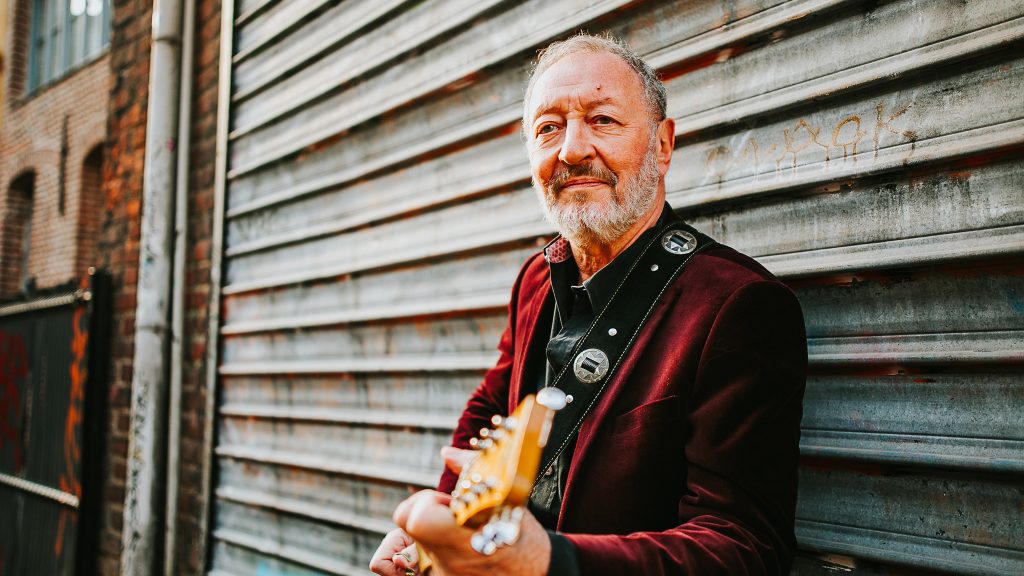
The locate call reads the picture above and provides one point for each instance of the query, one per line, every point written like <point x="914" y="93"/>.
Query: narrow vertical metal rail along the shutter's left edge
<point x="217" y="256"/>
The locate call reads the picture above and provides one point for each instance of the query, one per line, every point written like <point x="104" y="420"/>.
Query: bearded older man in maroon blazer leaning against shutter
<point x="682" y="361"/>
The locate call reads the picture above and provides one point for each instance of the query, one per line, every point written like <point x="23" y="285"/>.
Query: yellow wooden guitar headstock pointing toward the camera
<point x="503" y="473"/>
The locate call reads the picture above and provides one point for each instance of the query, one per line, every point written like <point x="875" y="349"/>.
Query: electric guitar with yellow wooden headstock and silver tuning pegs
<point x="493" y="490"/>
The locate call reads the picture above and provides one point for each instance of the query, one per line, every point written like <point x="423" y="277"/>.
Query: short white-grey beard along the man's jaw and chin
<point x="588" y="223"/>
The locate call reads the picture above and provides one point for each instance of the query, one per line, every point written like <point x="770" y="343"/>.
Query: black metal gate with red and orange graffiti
<point x="52" y="403"/>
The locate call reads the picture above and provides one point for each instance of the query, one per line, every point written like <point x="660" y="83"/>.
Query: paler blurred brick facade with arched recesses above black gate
<point x="31" y="141"/>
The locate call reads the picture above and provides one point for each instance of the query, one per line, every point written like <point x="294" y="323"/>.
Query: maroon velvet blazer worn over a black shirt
<point x="688" y="464"/>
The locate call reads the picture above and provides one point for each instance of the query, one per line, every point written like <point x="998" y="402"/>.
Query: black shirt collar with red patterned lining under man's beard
<point x="600" y="289"/>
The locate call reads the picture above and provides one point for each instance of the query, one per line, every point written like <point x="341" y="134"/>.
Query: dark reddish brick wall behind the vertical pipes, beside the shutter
<point x="120" y="241"/>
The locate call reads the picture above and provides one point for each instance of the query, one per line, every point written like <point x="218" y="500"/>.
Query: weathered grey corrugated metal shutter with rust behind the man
<point x="379" y="208"/>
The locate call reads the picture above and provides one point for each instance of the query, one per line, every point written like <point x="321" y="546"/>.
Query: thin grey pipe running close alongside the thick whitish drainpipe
<point x="179" y="287"/>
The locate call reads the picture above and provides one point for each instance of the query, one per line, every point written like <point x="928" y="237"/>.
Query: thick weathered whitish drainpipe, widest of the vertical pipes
<point x="148" y="441"/>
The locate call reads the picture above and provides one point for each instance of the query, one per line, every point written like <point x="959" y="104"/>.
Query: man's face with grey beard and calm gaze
<point x="596" y="154"/>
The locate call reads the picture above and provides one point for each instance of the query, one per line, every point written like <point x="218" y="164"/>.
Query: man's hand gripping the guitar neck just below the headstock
<point x="426" y="518"/>
